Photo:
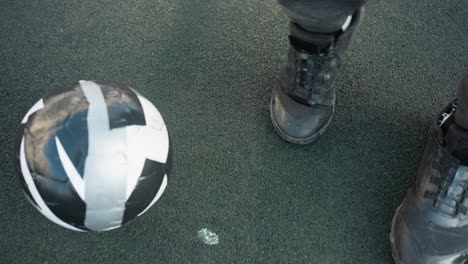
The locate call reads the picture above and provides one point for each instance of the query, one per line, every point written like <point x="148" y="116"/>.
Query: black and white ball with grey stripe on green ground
<point x="94" y="156"/>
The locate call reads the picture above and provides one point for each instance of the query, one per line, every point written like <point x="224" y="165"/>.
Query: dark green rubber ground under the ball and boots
<point x="209" y="66"/>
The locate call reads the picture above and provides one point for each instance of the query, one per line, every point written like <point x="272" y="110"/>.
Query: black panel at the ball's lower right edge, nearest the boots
<point x="146" y="189"/>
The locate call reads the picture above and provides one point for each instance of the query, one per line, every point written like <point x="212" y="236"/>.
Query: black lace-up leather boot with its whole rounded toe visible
<point x="303" y="98"/>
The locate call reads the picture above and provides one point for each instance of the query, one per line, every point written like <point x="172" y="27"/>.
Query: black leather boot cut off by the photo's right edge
<point x="431" y="225"/>
